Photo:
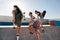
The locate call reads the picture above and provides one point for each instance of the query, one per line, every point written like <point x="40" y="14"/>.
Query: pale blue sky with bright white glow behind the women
<point x="51" y="6"/>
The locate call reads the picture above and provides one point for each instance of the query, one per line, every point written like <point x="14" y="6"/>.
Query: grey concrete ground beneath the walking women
<point x="51" y="33"/>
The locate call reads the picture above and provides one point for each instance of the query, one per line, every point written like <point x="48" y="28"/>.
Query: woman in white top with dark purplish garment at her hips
<point x="36" y="25"/>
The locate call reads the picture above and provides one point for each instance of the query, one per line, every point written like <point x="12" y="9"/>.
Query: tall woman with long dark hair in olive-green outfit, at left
<point x="17" y="15"/>
